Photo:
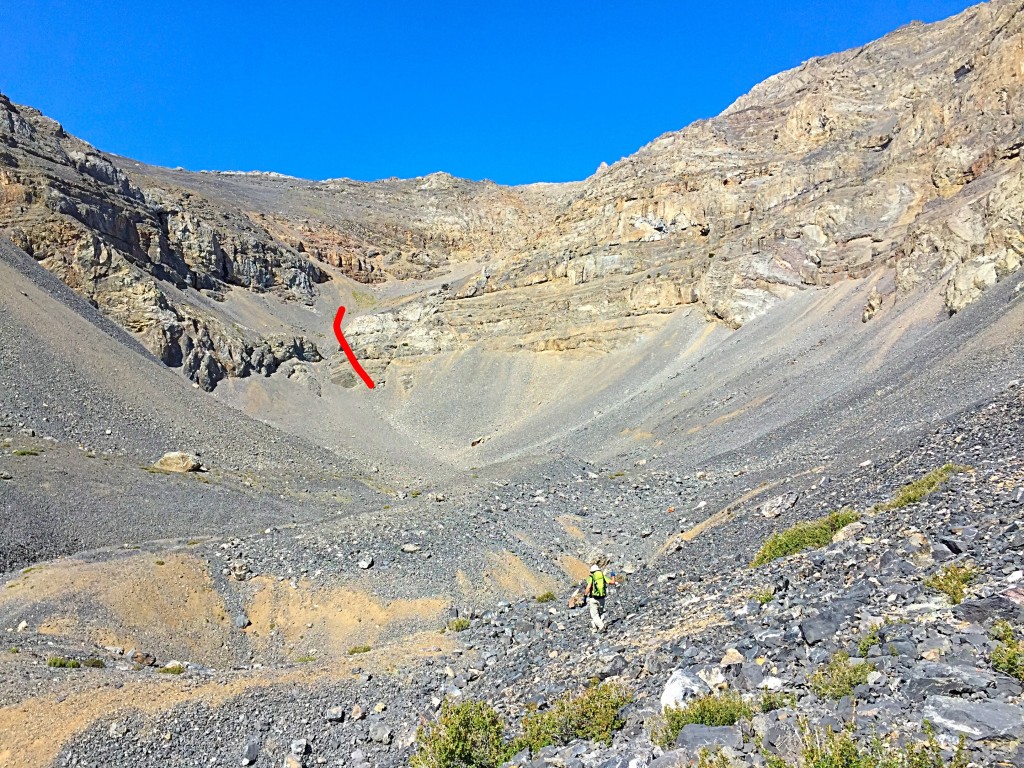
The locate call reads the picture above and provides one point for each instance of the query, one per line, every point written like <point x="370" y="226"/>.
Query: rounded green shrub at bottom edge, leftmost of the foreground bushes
<point x="471" y="735"/>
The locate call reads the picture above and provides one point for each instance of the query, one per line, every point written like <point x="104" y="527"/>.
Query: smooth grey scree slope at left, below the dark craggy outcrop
<point x="99" y="409"/>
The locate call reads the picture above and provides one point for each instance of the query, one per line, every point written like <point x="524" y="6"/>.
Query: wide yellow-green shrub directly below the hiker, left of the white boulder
<point x="593" y="715"/>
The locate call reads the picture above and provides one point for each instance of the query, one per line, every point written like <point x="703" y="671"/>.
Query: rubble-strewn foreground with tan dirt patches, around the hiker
<point x="694" y="617"/>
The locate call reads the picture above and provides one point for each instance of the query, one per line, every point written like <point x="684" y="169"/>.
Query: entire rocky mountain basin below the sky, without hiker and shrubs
<point x="802" y="306"/>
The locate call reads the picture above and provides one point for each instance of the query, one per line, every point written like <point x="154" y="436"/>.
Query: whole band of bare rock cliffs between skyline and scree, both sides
<point x="902" y="156"/>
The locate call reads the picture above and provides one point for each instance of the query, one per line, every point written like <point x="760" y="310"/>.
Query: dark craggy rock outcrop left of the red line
<point x="136" y="254"/>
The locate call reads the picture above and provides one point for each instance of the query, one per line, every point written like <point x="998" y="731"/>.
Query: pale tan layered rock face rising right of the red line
<point x="901" y="156"/>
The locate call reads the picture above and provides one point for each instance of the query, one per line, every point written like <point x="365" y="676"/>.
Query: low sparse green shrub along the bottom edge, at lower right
<point x="828" y="749"/>
